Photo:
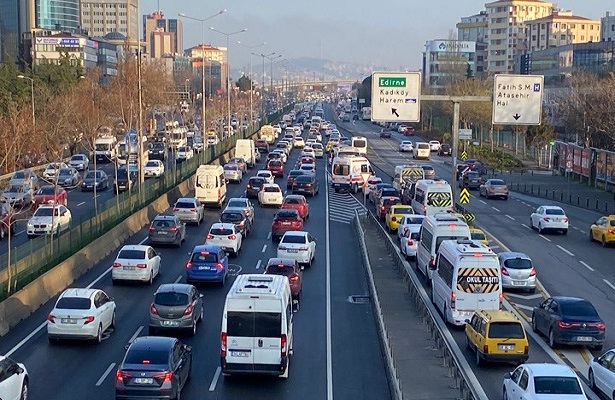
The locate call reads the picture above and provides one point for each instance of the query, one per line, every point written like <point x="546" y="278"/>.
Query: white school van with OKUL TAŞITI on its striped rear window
<point x="468" y="278"/>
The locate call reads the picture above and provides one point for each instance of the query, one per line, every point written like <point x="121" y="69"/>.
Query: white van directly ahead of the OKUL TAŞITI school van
<point x="434" y="230"/>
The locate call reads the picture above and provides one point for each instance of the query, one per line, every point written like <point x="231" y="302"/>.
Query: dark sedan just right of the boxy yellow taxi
<point x="569" y="320"/>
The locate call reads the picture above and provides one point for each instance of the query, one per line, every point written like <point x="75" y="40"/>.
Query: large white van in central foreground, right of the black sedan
<point x="257" y="326"/>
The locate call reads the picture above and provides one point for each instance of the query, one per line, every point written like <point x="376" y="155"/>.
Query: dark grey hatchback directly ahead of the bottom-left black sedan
<point x="175" y="306"/>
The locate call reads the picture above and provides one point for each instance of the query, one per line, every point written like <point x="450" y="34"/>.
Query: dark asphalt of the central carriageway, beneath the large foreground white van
<point x="336" y="352"/>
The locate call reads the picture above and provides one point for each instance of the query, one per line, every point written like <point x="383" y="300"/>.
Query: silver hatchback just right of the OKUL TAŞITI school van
<point x="517" y="271"/>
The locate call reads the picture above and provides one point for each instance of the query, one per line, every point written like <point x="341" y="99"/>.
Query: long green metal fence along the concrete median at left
<point x="39" y="255"/>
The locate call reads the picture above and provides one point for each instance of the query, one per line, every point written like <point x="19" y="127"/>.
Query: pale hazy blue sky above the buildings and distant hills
<point x="389" y="33"/>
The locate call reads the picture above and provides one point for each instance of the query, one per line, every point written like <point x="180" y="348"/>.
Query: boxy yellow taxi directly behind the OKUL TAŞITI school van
<point x="496" y="336"/>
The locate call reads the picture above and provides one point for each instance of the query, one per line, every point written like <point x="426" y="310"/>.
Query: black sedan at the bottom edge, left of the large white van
<point x="153" y="367"/>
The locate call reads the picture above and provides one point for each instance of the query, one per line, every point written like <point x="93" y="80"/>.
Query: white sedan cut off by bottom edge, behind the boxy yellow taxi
<point x="542" y="381"/>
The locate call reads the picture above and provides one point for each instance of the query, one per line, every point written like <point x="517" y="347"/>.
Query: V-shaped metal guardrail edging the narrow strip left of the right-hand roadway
<point x="456" y="364"/>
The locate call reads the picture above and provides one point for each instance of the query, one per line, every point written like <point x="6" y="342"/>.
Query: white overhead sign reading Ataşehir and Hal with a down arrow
<point x="517" y="99"/>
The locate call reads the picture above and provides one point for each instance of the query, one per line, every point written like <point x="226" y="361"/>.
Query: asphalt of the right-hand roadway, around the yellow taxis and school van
<point x="567" y="265"/>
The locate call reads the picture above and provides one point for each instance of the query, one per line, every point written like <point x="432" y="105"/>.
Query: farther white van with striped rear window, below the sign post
<point x="432" y="196"/>
